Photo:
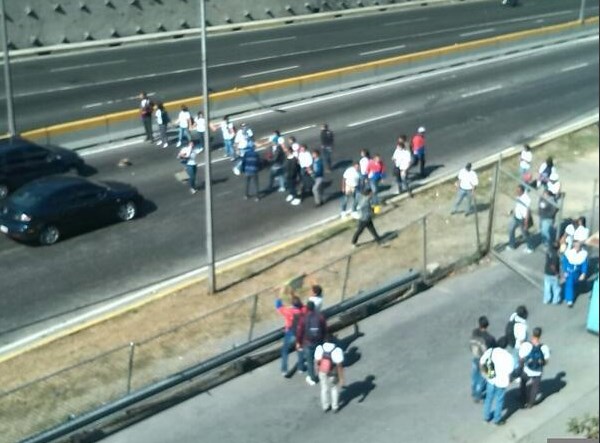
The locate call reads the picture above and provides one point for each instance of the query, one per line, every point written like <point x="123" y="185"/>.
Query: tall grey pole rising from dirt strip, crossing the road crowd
<point x="210" y="253"/>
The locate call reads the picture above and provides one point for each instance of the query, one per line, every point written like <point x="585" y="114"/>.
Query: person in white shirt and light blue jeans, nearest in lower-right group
<point x="498" y="379"/>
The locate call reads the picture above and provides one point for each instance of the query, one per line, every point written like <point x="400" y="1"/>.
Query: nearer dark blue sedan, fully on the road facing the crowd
<point x="48" y="208"/>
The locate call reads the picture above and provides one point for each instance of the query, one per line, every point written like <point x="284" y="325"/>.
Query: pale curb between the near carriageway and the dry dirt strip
<point x="12" y="351"/>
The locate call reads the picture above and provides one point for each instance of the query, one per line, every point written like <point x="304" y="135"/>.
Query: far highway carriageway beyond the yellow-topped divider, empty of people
<point x="58" y="88"/>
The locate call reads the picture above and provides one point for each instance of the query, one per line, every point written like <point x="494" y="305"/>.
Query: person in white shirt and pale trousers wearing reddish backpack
<point x="329" y="365"/>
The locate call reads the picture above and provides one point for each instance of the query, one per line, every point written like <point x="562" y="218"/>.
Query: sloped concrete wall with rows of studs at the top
<point x="39" y="23"/>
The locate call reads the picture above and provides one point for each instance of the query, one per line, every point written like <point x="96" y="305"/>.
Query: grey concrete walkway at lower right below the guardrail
<point x="407" y="379"/>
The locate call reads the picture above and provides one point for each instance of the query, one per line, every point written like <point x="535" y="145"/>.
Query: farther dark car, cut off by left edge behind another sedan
<point x="22" y="161"/>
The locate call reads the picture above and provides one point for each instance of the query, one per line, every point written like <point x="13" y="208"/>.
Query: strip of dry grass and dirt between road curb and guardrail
<point x="189" y="326"/>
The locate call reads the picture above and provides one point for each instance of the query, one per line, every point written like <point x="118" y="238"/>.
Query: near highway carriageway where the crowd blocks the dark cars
<point x="470" y="112"/>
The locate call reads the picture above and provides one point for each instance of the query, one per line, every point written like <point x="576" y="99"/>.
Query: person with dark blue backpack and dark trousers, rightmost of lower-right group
<point x="533" y="356"/>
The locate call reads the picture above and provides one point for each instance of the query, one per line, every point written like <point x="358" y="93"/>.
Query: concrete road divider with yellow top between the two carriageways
<point x="121" y="125"/>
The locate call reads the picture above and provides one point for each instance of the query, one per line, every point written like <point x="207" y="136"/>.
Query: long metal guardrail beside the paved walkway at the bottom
<point x="209" y="365"/>
